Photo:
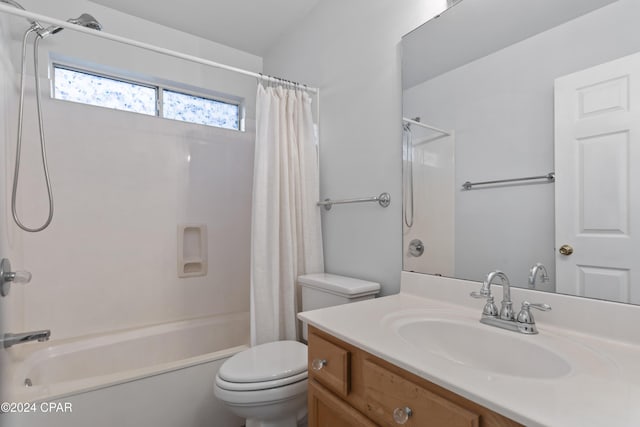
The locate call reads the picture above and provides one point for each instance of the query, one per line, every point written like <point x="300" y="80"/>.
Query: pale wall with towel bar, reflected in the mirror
<point x="501" y="108"/>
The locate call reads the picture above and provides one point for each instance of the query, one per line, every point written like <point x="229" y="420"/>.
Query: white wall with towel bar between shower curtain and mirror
<point x="351" y="51"/>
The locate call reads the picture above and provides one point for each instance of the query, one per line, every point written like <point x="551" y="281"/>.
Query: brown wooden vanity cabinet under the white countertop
<point x="350" y="387"/>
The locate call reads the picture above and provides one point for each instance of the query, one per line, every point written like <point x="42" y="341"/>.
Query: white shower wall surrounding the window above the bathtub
<point x="122" y="184"/>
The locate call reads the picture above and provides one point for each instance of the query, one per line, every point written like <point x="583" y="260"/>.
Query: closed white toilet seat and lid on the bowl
<point x="265" y="366"/>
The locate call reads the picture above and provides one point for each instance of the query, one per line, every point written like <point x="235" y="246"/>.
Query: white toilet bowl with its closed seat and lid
<point x="266" y="384"/>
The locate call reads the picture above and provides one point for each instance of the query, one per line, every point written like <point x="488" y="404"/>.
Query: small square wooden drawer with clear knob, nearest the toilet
<point x="335" y="370"/>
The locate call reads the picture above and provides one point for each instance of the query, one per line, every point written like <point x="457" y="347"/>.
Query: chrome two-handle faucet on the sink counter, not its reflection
<point x="505" y="318"/>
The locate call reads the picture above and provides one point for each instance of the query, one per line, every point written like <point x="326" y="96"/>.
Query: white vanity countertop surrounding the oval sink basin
<point x="602" y="389"/>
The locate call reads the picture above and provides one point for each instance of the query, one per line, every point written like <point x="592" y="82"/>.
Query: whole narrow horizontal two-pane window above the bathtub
<point x="120" y="94"/>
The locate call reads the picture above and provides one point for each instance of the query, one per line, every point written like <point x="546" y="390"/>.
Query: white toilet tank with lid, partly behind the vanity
<point x="321" y="290"/>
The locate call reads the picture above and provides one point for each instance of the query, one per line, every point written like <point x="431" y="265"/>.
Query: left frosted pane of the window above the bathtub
<point x="105" y="92"/>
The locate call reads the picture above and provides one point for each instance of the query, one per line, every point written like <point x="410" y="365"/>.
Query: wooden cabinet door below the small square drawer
<point x="327" y="410"/>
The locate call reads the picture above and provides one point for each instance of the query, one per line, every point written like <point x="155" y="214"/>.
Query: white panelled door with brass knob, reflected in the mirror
<point x="597" y="164"/>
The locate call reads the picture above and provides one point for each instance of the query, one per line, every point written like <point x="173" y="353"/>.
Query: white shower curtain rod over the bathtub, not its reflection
<point x="64" y="24"/>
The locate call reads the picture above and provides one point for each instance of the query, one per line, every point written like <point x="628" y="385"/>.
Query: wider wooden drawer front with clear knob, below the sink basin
<point x="385" y="391"/>
